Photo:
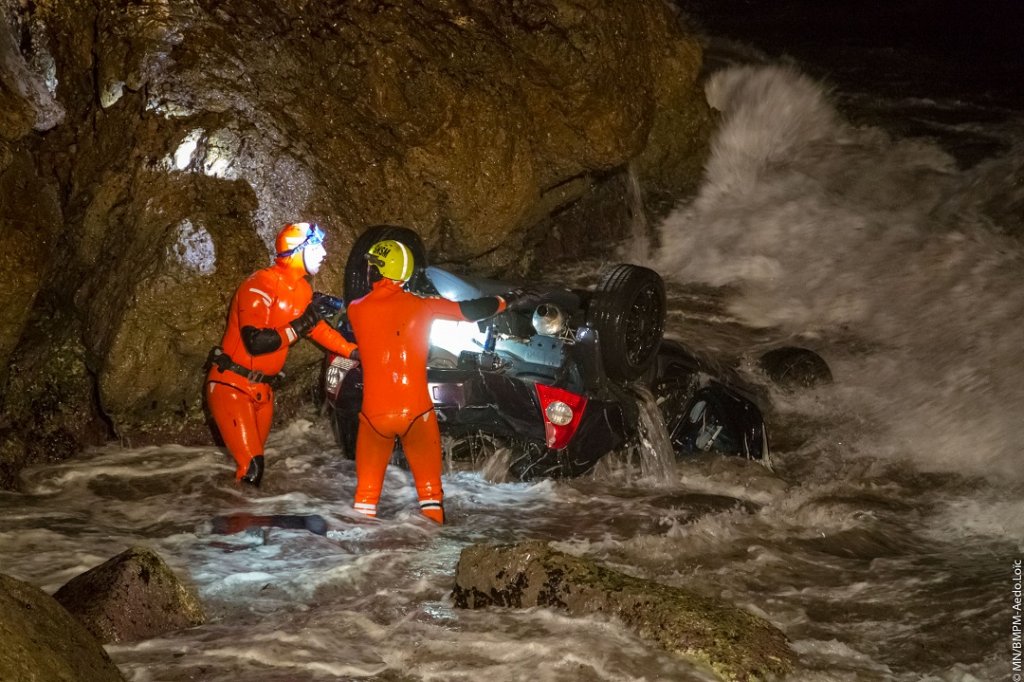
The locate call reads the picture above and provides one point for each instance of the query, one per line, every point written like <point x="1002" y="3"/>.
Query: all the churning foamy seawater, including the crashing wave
<point x="883" y="545"/>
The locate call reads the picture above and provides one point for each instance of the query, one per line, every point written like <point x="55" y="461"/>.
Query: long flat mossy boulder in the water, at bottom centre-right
<point x="734" y="644"/>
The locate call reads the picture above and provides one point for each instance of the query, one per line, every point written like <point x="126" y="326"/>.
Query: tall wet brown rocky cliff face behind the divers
<point x="150" y="150"/>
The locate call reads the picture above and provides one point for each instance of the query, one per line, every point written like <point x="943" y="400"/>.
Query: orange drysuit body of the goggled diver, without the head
<point x="259" y="336"/>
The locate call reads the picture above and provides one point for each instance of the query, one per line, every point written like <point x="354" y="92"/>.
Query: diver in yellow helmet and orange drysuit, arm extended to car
<point x="393" y="328"/>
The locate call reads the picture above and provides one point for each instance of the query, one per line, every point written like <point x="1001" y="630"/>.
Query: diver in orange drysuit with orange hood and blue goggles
<point x="273" y="310"/>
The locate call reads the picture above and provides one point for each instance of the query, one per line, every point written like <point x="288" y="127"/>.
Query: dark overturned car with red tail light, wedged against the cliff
<point x="562" y="385"/>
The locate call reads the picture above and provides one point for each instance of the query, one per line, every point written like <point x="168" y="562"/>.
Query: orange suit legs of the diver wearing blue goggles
<point x="243" y="419"/>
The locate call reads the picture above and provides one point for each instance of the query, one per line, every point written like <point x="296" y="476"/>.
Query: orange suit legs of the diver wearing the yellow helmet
<point x="422" y="445"/>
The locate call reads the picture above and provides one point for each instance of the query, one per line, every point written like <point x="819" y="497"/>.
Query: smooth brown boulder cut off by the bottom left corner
<point x="42" y="643"/>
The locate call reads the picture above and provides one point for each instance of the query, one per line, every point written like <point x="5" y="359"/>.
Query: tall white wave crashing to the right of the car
<point x="874" y="246"/>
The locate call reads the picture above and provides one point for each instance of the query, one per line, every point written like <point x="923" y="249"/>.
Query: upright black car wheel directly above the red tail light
<point x="628" y="312"/>
